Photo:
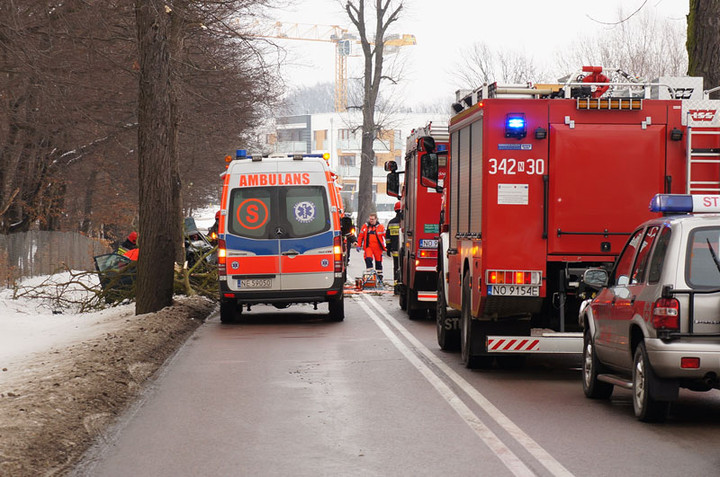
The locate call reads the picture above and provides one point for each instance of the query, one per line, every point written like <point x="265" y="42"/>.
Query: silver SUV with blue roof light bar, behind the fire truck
<point x="655" y="326"/>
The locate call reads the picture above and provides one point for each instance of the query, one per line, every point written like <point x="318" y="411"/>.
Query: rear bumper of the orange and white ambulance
<point x="284" y="296"/>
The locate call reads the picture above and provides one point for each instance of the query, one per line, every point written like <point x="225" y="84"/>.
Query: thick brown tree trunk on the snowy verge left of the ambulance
<point x="157" y="161"/>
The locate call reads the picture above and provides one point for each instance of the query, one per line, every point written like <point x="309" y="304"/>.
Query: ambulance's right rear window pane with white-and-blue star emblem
<point x="306" y="210"/>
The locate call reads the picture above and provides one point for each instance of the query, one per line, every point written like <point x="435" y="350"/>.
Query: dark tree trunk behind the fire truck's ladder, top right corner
<point x="703" y="41"/>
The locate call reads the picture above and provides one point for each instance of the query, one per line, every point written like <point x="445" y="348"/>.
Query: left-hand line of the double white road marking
<point x="511" y="461"/>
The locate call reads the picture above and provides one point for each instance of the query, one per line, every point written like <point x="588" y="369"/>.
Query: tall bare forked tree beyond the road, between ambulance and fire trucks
<point x="372" y="42"/>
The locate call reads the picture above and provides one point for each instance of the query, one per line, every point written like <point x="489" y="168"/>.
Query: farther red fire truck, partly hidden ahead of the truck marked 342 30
<point x="418" y="245"/>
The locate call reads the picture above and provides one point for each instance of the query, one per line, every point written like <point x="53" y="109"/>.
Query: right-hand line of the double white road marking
<point x="548" y="461"/>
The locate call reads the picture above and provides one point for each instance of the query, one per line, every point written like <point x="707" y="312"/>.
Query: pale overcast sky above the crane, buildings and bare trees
<point x="444" y="28"/>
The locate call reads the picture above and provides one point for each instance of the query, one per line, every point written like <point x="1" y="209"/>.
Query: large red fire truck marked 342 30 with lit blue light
<point x="546" y="182"/>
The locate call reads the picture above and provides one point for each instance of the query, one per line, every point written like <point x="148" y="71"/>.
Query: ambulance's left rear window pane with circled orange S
<point x="250" y="212"/>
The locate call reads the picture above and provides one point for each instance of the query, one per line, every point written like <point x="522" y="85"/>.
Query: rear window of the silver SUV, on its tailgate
<point x="702" y="269"/>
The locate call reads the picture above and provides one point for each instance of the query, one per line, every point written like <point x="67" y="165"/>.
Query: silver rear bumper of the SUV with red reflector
<point x="665" y="357"/>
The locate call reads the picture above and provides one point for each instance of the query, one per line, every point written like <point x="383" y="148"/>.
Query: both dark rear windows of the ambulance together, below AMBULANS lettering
<point x="278" y="212"/>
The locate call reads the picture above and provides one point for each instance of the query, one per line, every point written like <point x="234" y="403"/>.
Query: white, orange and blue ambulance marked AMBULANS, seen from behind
<point x="280" y="234"/>
